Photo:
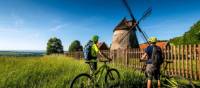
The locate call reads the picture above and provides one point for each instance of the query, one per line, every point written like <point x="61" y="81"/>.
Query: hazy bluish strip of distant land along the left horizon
<point x="21" y="53"/>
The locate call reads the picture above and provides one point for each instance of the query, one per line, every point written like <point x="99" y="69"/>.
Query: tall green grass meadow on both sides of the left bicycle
<point x="52" y="72"/>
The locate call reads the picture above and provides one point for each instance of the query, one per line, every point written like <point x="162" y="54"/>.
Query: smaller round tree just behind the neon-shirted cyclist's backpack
<point x="75" y="46"/>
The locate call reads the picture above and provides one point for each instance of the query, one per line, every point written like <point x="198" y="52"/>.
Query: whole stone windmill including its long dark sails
<point x="124" y="35"/>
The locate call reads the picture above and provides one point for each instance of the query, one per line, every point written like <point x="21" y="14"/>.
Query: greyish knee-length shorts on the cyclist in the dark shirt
<point x="152" y="72"/>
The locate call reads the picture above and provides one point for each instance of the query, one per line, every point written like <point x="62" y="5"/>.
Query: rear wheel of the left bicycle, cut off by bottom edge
<point x="82" y="81"/>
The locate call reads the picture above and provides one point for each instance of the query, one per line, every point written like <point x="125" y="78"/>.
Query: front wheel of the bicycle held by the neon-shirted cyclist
<point x="112" y="78"/>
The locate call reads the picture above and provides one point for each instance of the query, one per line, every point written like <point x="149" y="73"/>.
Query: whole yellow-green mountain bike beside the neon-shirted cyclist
<point x="85" y="80"/>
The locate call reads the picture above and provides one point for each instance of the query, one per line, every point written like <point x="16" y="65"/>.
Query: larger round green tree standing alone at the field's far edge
<point x="54" y="45"/>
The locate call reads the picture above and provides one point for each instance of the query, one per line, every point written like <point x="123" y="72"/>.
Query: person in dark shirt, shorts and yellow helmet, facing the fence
<point x="152" y="70"/>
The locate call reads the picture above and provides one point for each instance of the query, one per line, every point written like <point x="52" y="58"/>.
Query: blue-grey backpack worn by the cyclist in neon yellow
<point x="87" y="50"/>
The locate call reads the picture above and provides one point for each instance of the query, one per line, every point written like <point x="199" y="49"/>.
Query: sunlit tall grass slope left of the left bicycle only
<point x="37" y="72"/>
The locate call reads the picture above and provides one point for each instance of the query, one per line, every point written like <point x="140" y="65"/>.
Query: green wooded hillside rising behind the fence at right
<point x="190" y="37"/>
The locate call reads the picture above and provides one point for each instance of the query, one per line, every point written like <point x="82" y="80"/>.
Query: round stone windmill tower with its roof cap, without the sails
<point x="129" y="41"/>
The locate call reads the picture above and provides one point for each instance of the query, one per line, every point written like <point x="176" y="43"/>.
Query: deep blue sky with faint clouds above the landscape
<point x="28" y="24"/>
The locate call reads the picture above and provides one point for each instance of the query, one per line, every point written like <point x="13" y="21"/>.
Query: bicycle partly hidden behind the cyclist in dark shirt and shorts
<point x="168" y="81"/>
